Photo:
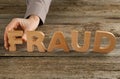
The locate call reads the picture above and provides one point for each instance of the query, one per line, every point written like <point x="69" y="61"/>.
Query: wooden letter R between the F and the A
<point x="35" y="38"/>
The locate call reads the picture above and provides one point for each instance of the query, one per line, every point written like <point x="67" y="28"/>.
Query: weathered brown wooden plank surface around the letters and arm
<point x="64" y="15"/>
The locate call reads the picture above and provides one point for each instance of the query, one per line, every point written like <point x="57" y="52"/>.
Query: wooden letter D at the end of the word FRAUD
<point x="98" y="38"/>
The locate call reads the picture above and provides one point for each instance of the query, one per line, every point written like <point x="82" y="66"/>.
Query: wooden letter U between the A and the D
<point x="75" y="44"/>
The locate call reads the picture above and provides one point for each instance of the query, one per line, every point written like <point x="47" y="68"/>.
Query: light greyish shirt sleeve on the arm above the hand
<point x="37" y="7"/>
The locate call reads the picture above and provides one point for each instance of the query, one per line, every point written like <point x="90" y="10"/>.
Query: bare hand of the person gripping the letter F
<point x="29" y="24"/>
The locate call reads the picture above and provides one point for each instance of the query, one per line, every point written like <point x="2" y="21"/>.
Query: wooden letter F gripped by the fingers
<point x="13" y="40"/>
